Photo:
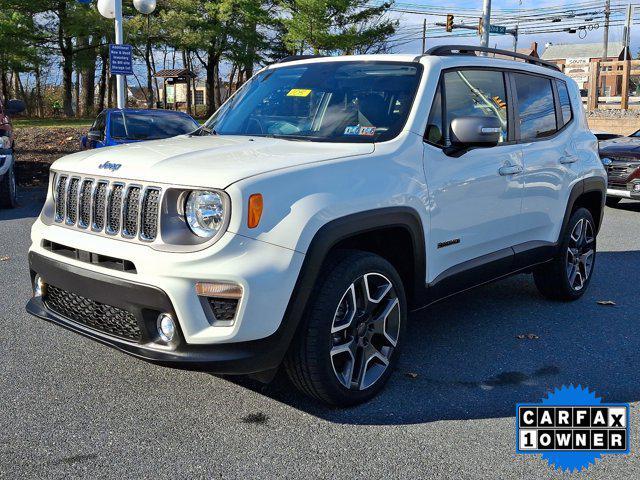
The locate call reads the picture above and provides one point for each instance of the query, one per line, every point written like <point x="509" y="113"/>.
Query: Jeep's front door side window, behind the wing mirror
<point x="476" y="93"/>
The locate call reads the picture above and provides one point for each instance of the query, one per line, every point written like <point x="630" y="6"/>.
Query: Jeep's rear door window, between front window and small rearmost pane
<point x="536" y="110"/>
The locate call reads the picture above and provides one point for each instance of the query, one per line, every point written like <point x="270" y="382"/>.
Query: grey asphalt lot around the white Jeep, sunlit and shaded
<point x="71" y="408"/>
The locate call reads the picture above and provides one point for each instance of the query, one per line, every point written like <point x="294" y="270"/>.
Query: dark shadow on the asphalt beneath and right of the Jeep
<point x="466" y="358"/>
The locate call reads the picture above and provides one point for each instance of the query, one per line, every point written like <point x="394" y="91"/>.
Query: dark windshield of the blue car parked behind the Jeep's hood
<point x="137" y="126"/>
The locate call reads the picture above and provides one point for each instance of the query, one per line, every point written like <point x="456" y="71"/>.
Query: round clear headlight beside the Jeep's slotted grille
<point x="205" y="213"/>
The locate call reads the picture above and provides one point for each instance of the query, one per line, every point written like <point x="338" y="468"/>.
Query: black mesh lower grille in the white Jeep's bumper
<point x="99" y="316"/>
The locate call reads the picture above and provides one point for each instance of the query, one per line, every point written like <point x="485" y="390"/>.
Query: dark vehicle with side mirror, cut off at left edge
<point x="8" y="190"/>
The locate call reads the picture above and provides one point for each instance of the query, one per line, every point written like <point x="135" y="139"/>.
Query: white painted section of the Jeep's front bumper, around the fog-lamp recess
<point x="267" y="274"/>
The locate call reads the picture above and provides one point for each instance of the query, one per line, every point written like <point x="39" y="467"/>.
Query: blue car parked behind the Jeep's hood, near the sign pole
<point x="116" y="126"/>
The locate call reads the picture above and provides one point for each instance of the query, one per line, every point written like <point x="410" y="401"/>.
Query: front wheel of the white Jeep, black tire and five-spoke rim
<point x="348" y="342"/>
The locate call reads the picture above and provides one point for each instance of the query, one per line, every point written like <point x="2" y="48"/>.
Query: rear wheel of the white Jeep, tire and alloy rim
<point x="568" y="275"/>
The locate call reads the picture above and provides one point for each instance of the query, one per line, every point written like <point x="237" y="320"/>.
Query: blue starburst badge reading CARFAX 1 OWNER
<point x="572" y="428"/>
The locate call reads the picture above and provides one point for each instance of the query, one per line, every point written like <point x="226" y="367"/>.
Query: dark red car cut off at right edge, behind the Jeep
<point x="621" y="157"/>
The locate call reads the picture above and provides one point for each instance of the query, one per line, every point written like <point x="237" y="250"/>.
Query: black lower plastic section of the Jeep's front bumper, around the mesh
<point x="146" y="302"/>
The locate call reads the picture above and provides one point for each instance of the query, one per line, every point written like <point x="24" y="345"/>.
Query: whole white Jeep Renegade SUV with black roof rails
<point x="318" y="206"/>
